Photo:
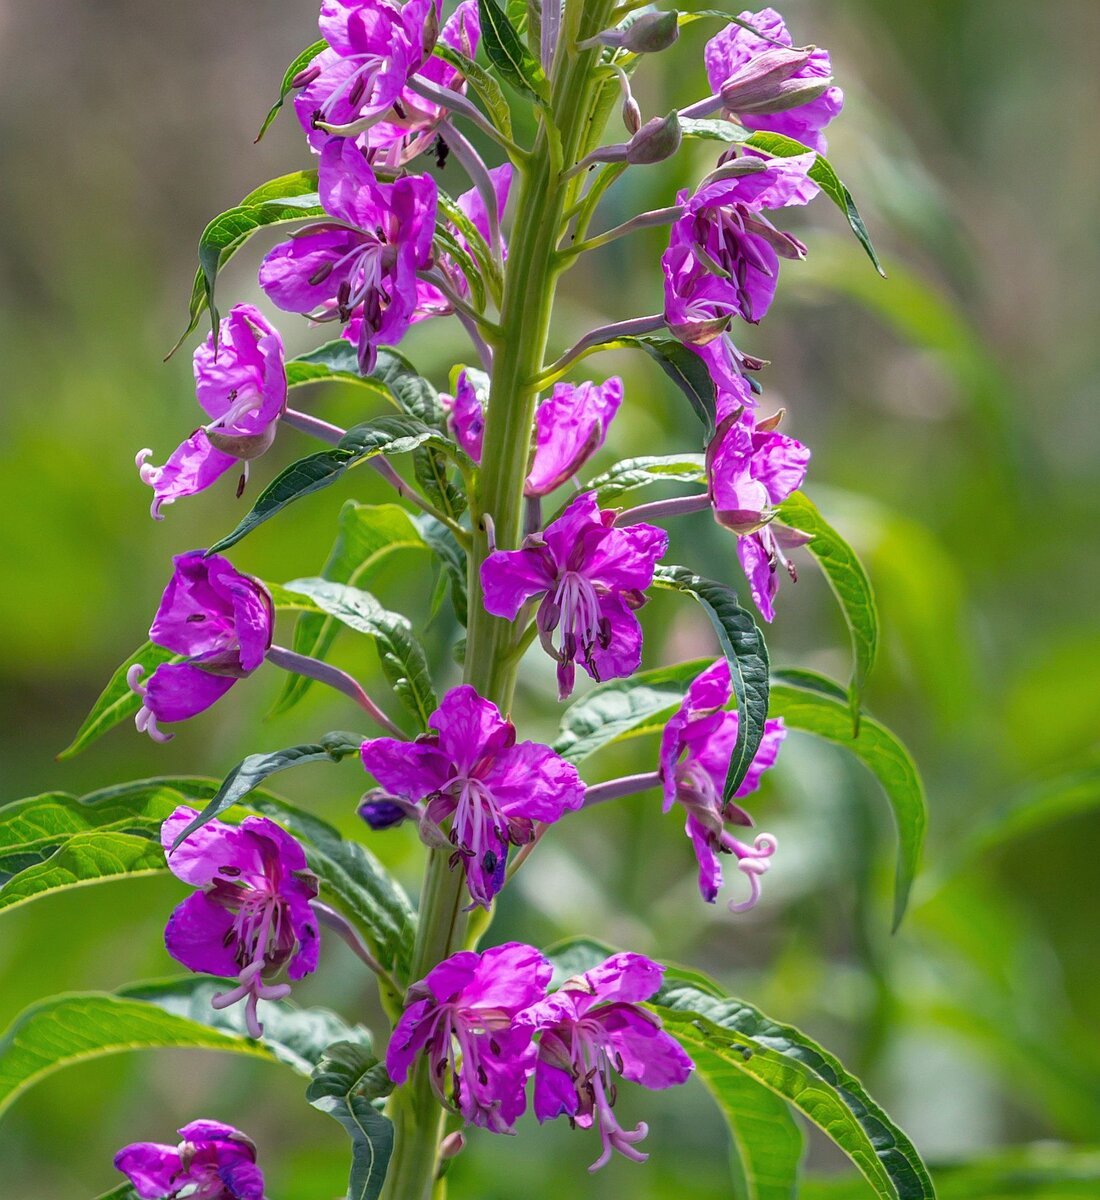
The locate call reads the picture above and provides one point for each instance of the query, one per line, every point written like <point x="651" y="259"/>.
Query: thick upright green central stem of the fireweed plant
<point x="530" y="284"/>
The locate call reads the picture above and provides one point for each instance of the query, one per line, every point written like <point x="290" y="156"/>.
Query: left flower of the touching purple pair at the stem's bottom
<point x="462" y="1017"/>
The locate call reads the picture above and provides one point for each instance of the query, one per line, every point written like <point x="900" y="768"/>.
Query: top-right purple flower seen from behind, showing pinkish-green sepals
<point x="746" y="70"/>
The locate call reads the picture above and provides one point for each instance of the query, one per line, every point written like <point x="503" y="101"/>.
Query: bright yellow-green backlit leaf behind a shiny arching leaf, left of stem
<point x="366" y="537"/>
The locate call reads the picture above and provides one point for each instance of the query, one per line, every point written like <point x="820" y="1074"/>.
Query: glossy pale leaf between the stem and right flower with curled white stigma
<point x="623" y="709"/>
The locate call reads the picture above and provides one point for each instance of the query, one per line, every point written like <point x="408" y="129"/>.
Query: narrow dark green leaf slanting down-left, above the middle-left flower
<point x="381" y="436"/>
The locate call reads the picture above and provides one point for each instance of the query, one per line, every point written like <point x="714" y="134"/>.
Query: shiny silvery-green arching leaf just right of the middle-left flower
<point x="402" y="658"/>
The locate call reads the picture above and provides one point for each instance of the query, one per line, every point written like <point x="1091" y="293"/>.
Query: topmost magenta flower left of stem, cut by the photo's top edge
<point x="375" y="46"/>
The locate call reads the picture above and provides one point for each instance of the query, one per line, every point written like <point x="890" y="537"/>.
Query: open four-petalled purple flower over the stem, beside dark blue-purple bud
<point x="473" y="771"/>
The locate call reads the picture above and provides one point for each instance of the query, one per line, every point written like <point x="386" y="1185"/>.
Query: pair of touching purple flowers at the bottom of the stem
<point x="486" y="1024"/>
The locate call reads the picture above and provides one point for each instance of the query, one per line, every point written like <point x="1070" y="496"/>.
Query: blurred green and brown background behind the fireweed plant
<point x="951" y="412"/>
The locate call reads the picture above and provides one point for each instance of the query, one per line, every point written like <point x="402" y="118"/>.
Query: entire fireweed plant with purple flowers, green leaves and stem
<point x="532" y="551"/>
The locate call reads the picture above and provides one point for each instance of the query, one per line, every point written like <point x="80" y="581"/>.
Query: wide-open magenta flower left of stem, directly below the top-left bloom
<point x="364" y="263"/>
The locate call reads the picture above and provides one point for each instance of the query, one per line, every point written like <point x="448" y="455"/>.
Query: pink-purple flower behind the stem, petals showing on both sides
<point x="570" y="428"/>
